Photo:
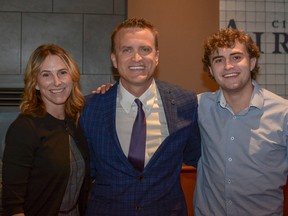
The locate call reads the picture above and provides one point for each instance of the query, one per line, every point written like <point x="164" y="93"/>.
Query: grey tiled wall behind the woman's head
<point x="81" y="27"/>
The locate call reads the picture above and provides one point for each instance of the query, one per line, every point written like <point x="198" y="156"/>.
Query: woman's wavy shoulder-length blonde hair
<point x="32" y="102"/>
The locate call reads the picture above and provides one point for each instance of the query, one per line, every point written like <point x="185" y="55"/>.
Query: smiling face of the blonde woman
<point x="55" y="83"/>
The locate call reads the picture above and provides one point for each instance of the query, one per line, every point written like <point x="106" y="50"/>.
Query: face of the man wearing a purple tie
<point x="136" y="58"/>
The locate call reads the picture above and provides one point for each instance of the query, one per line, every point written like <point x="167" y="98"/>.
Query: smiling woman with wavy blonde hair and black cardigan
<point x="45" y="162"/>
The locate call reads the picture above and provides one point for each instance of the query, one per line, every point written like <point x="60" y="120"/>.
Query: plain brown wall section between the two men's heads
<point x="183" y="25"/>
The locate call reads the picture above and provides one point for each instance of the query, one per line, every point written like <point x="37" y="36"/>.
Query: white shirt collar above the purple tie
<point x="126" y="99"/>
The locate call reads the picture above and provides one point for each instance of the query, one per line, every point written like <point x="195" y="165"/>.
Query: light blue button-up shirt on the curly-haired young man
<point x="244" y="160"/>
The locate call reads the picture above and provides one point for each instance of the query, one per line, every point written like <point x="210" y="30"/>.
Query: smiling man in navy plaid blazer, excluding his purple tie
<point x="172" y="133"/>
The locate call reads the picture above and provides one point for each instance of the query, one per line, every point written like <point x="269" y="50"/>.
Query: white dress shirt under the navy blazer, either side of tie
<point x="126" y="111"/>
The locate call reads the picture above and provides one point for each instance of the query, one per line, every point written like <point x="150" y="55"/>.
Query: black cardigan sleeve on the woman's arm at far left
<point x="20" y="142"/>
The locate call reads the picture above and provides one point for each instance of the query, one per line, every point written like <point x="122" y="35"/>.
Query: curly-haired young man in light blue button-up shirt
<point x="243" y="127"/>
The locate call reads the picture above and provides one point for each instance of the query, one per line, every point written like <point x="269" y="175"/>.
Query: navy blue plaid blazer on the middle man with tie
<point x="121" y="190"/>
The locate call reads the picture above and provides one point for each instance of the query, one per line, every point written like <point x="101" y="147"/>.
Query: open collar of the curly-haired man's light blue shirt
<point x="257" y="99"/>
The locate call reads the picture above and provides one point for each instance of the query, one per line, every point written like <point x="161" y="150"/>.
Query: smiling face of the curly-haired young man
<point x="231" y="68"/>
